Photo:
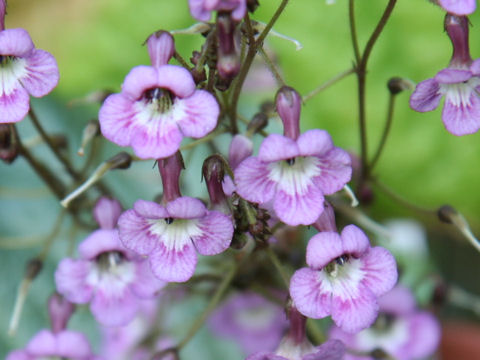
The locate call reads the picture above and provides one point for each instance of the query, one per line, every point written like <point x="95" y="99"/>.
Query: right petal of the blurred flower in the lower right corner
<point x="425" y="334"/>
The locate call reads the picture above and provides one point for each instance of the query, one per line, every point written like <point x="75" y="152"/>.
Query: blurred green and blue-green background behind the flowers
<point x="96" y="43"/>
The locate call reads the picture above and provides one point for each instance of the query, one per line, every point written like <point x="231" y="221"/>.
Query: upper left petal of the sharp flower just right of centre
<point x="277" y="147"/>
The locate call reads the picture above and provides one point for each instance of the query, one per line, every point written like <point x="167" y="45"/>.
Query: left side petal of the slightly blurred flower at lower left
<point x="70" y="280"/>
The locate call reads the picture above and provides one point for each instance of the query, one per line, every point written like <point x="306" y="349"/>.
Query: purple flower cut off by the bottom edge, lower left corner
<point x="64" y="344"/>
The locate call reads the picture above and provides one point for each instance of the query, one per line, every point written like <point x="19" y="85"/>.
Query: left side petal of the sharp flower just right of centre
<point x="252" y="181"/>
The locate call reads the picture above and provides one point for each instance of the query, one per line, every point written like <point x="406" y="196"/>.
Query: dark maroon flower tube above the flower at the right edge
<point x="457" y="30"/>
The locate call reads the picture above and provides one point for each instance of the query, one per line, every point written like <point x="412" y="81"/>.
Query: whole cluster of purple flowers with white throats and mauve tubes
<point x="134" y="254"/>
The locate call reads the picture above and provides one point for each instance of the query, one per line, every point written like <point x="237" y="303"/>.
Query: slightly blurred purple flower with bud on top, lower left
<point x="107" y="275"/>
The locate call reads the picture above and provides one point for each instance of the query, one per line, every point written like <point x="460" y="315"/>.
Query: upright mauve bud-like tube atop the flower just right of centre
<point x="288" y="103"/>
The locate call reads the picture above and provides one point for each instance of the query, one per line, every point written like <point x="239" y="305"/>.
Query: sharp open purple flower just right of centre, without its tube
<point x="295" y="174"/>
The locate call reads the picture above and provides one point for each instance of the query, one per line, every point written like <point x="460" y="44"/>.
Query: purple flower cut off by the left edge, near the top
<point x="24" y="71"/>
